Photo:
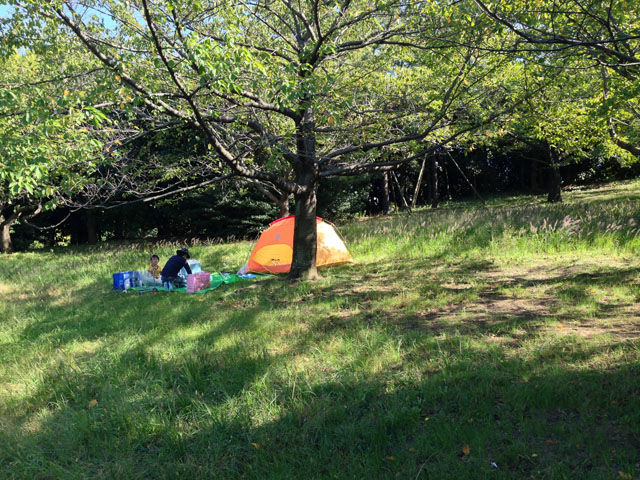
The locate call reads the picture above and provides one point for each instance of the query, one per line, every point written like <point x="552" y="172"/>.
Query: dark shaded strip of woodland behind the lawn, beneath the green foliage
<point x="233" y="211"/>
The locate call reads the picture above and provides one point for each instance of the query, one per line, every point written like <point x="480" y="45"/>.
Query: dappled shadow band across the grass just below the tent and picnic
<point x="435" y="295"/>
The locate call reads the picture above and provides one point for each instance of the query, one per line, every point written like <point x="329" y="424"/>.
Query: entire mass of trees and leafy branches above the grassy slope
<point x="176" y="120"/>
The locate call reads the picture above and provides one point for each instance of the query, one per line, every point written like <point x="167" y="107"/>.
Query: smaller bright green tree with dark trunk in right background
<point x="555" y="125"/>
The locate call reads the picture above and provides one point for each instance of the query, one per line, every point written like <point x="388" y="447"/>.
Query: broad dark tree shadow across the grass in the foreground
<point x="209" y="417"/>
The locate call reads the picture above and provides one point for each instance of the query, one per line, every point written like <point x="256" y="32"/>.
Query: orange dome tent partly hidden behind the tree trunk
<point x="274" y="250"/>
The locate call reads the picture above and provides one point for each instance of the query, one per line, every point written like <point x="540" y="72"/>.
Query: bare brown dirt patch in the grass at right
<point x="529" y="298"/>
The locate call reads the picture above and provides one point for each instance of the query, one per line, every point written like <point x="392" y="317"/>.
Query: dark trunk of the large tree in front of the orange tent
<point x="305" y="233"/>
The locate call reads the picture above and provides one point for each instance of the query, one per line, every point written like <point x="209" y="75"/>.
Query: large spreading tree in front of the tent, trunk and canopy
<point x="318" y="84"/>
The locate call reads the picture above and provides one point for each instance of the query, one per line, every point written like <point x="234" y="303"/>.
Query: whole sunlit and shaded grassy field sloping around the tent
<point x="465" y="342"/>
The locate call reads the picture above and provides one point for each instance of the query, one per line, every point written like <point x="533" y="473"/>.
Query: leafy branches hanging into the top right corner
<point x="600" y="37"/>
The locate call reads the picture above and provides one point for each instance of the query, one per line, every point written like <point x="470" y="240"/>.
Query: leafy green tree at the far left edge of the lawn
<point x="48" y="146"/>
